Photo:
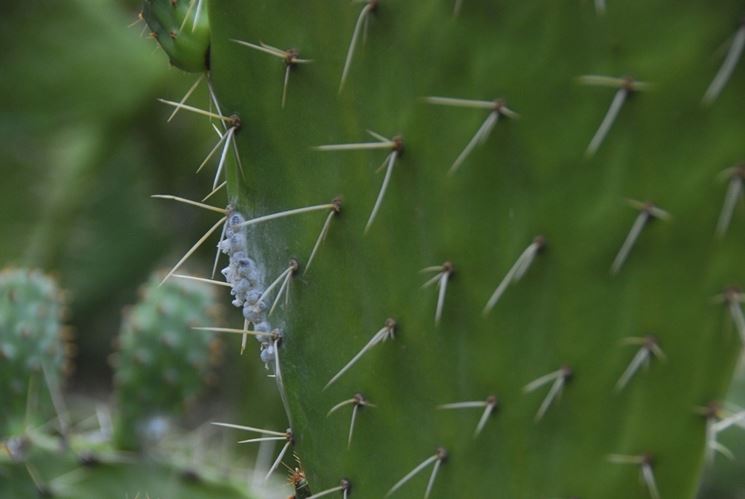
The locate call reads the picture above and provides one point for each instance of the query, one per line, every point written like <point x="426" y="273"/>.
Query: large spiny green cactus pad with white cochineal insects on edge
<point x="525" y="255"/>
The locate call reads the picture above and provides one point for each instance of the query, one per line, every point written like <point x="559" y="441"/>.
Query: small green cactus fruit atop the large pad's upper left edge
<point x="182" y="29"/>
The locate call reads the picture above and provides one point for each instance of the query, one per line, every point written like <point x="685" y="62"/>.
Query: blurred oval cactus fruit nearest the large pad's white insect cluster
<point x="162" y="364"/>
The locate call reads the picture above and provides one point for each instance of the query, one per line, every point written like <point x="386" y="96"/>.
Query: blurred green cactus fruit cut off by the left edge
<point x="33" y="348"/>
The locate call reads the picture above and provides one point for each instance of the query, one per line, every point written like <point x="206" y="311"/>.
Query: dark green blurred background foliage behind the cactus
<point x="83" y="145"/>
